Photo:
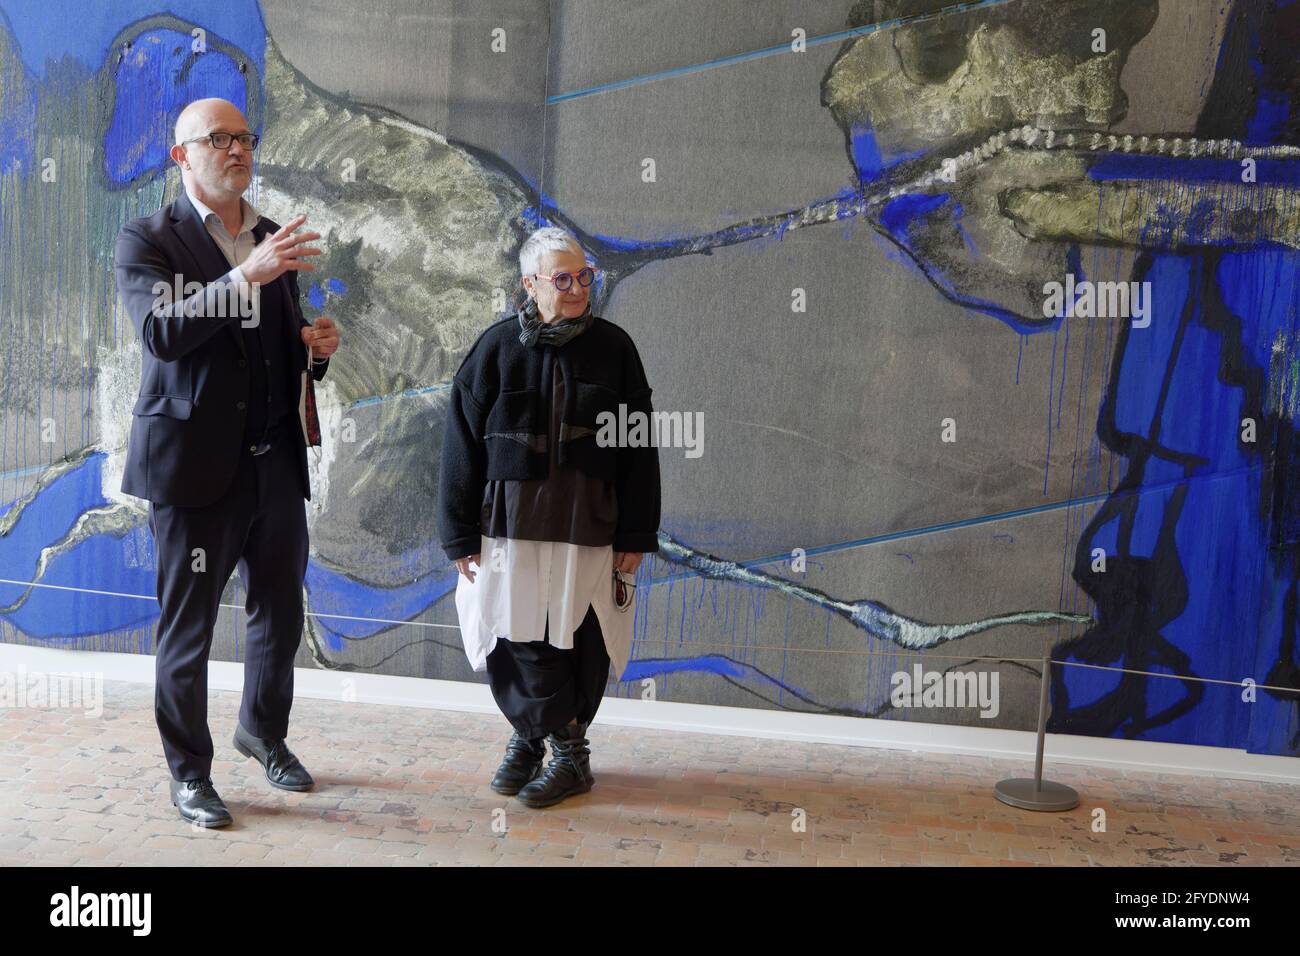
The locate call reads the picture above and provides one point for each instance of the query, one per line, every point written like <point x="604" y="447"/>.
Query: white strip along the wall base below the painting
<point x="704" y="719"/>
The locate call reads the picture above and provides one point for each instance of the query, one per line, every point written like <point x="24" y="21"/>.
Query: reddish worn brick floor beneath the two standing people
<point x="404" y="786"/>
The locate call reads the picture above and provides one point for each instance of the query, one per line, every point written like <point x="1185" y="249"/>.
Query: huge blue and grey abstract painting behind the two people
<point x="989" y="313"/>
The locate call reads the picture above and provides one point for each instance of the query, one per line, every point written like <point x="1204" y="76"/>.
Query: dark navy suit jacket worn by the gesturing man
<point x="189" y="429"/>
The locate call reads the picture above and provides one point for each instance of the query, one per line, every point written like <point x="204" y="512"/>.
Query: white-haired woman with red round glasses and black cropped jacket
<point x="551" y="512"/>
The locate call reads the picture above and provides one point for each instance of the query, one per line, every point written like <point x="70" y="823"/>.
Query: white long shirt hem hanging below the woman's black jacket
<point x="523" y="583"/>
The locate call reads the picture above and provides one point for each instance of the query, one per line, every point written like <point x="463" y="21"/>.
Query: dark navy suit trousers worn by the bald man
<point x="261" y="527"/>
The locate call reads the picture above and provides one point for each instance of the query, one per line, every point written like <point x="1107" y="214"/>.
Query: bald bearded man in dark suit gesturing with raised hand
<point x="219" y="444"/>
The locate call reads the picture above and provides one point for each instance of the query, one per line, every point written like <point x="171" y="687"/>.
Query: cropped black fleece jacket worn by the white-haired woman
<point x="497" y="429"/>
